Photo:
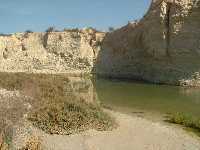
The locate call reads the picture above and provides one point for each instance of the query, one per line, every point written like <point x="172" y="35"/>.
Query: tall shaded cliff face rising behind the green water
<point x="164" y="47"/>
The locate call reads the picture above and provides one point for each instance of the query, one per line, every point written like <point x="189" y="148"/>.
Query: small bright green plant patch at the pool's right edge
<point x="188" y="121"/>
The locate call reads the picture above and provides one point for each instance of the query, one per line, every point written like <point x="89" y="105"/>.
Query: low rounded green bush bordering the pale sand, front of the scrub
<point x="70" y="117"/>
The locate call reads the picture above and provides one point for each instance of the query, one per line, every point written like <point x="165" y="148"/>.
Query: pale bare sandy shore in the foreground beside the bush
<point x="133" y="133"/>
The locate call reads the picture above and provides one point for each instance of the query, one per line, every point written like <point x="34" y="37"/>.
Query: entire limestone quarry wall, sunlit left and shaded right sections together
<point x="163" y="47"/>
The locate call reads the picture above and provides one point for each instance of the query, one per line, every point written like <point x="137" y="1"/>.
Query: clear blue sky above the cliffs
<point x="38" y="15"/>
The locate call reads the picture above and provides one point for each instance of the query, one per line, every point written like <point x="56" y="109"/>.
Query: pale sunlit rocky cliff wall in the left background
<point x="70" y="51"/>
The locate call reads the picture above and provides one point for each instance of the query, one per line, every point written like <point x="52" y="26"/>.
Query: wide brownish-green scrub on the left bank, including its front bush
<point x="56" y="108"/>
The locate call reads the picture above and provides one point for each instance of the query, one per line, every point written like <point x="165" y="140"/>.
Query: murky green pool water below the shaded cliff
<point x="136" y="97"/>
